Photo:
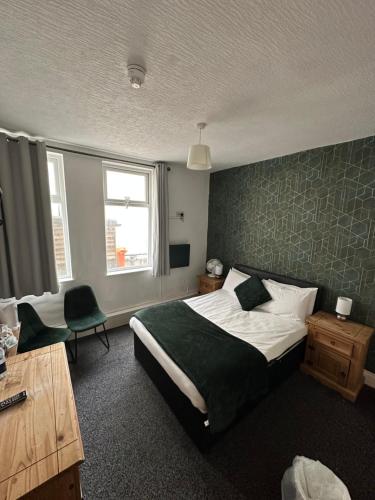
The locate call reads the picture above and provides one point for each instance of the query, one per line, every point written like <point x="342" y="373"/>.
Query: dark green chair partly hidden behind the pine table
<point x="34" y="333"/>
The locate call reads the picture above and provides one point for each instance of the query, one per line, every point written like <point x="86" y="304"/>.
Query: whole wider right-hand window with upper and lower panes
<point x="127" y="216"/>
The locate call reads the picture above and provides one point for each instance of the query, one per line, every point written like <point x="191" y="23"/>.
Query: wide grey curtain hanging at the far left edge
<point x="27" y="263"/>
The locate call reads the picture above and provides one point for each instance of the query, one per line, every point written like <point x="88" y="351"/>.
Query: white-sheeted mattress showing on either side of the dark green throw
<point x="272" y="335"/>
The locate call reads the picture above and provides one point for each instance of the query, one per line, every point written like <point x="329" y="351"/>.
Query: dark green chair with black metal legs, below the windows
<point x="82" y="313"/>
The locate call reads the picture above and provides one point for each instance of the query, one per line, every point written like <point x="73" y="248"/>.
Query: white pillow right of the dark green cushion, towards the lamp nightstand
<point x="285" y="302"/>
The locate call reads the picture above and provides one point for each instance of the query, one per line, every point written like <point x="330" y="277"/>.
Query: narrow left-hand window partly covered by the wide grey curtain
<point x="59" y="215"/>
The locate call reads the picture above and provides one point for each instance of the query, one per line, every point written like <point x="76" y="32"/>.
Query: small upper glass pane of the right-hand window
<point x="121" y="185"/>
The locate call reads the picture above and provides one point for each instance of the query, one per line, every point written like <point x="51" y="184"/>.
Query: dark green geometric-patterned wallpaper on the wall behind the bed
<point x="309" y="215"/>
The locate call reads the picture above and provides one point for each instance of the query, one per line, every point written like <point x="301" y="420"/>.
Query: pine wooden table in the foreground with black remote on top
<point x="40" y="440"/>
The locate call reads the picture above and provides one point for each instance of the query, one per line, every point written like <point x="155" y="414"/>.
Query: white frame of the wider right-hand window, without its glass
<point x="147" y="173"/>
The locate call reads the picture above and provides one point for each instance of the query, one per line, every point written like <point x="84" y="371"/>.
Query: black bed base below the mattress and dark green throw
<point x="192" y="420"/>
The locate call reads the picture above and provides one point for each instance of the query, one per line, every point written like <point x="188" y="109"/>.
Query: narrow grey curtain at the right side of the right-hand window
<point x="161" y="221"/>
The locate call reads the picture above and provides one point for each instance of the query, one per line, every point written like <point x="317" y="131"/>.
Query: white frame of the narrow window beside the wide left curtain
<point x="60" y="197"/>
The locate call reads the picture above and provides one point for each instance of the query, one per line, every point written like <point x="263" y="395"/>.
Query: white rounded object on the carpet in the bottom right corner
<point x="309" y="479"/>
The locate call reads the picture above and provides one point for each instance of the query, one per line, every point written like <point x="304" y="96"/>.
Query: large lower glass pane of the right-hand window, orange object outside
<point x="127" y="234"/>
